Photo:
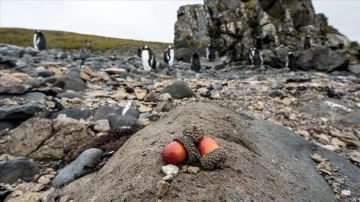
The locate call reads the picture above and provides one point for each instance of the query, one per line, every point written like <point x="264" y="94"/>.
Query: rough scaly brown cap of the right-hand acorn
<point x="214" y="159"/>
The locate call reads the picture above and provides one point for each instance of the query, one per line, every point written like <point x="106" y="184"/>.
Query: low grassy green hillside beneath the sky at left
<point x="70" y="40"/>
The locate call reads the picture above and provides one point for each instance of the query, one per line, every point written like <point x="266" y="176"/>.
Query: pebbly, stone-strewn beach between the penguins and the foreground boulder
<point x="94" y="90"/>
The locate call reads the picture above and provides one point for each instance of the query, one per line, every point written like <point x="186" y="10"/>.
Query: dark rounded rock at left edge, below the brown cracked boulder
<point x="19" y="168"/>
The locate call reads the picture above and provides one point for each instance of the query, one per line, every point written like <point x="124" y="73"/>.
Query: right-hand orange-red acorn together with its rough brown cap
<point x="213" y="156"/>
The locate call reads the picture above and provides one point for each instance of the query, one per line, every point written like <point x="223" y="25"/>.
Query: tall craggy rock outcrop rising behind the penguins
<point x="232" y="25"/>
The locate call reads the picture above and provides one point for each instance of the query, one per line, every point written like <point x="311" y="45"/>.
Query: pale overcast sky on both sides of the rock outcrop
<point x="151" y="20"/>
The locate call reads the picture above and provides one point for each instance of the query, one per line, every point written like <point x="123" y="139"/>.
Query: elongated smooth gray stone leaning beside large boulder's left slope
<point x="82" y="165"/>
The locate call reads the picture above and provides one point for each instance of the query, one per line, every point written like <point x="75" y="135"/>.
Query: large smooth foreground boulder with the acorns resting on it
<point x="265" y="161"/>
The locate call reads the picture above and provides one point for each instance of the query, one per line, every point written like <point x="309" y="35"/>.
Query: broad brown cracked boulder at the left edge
<point x="44" y="139"/>
